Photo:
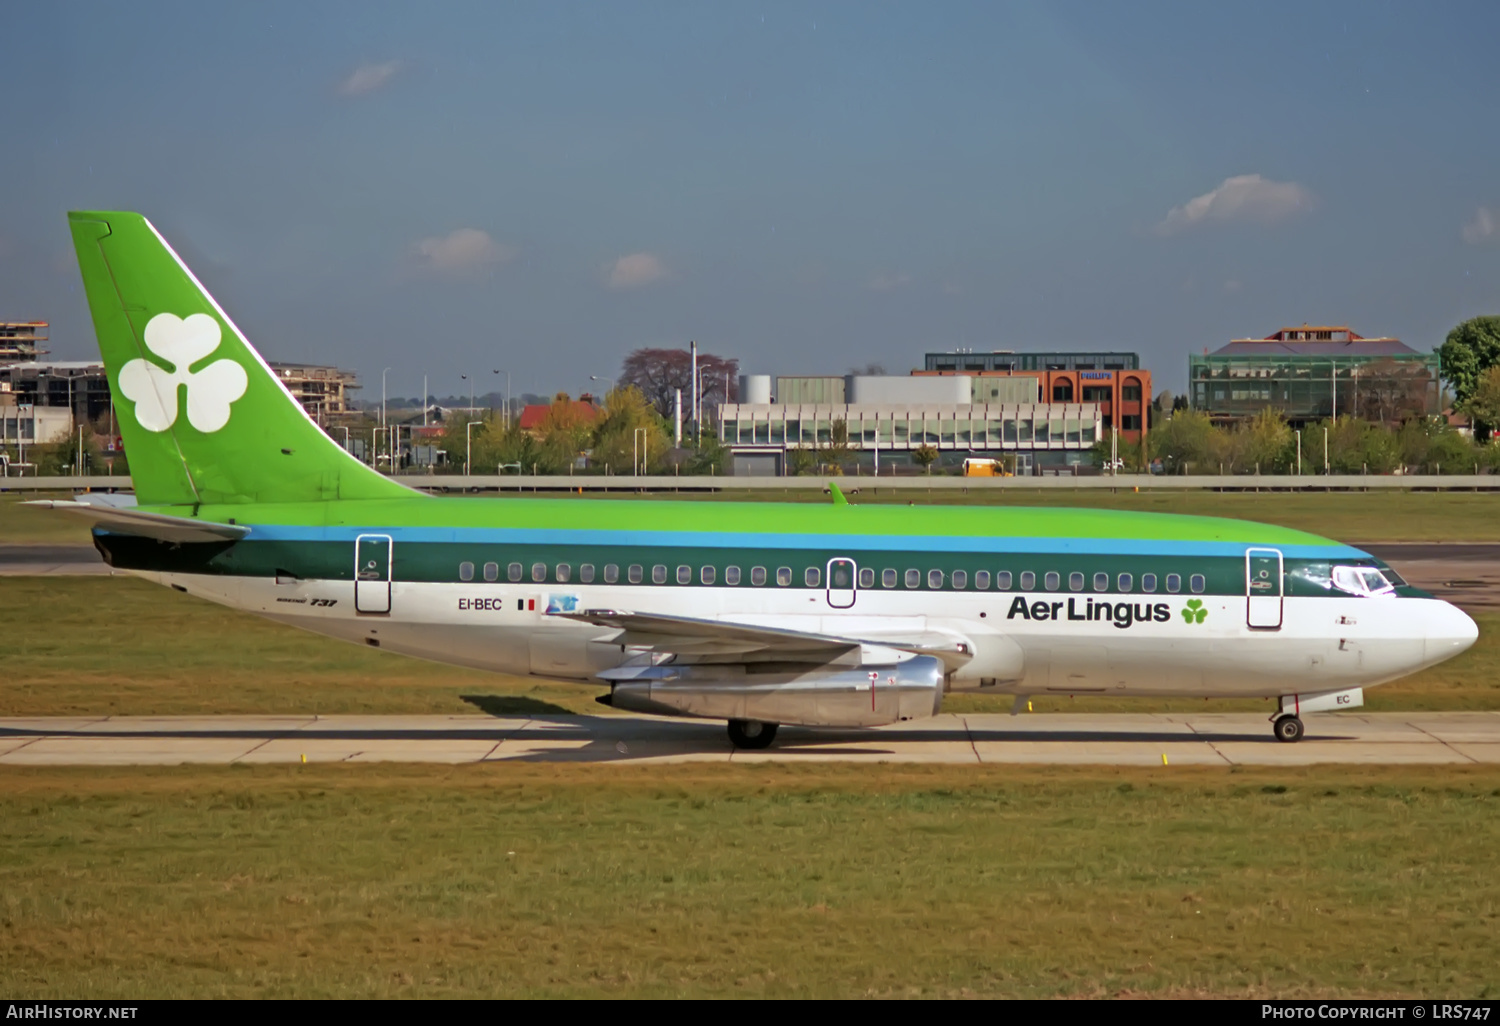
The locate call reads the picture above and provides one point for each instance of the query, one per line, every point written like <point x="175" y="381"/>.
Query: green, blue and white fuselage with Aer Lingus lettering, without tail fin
<point x="1033" y="601"/>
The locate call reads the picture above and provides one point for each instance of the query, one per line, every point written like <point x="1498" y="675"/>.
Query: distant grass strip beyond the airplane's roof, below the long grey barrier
<point x="1349" y="517"/>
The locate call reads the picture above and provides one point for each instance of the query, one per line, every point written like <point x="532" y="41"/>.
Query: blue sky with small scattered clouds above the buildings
<point x="541" y="188"/>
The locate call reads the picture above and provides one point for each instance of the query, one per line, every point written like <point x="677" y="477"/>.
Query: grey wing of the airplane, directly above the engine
<point x="692" y="637"/>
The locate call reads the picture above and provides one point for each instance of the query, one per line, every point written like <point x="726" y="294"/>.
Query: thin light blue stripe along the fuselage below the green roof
<point x="823" y="542"/>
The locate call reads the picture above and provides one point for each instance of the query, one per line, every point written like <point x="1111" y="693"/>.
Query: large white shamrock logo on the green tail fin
<point x="182" y="343"/>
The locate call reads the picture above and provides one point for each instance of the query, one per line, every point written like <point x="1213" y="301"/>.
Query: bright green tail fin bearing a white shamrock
<point x="203" y="418"/>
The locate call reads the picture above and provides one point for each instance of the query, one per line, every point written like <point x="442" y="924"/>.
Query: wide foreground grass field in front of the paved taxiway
<point x="769" y="881"/>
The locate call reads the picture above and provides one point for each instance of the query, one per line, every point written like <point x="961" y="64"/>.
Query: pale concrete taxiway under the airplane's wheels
<point x="1213" y="740"/>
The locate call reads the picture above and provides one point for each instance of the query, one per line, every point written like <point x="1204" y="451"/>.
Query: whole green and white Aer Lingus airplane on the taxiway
<point x="757" y="614"/>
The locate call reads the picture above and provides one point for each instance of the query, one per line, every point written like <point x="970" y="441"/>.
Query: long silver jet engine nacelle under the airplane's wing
<point x="872" y="697"/>
